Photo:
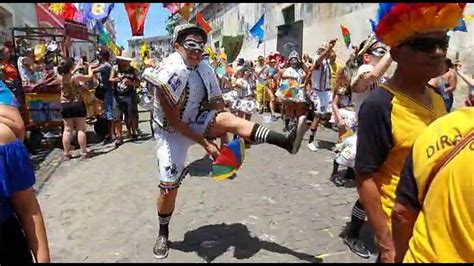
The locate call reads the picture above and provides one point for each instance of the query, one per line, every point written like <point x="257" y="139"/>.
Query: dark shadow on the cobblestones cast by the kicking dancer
<point x="212" y="241"/>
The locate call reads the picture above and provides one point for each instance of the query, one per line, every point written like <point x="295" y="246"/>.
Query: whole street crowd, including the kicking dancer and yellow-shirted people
<point x="386" y="126"/>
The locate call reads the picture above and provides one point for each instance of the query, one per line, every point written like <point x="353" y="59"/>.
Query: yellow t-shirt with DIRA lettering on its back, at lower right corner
<point x="444" y="229"/>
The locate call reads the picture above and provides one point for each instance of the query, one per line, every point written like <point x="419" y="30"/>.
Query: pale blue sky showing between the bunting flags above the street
<point x="155" y="22"/>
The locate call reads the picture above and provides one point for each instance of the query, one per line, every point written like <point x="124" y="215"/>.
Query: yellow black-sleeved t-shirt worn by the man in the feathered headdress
<point x="389" y="123"/>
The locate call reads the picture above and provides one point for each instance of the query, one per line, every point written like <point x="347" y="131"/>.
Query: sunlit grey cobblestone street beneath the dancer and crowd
<point x="280" y="208"/>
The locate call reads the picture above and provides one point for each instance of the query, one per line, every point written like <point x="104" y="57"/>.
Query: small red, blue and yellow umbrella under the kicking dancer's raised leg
<point x="230" y="159"/>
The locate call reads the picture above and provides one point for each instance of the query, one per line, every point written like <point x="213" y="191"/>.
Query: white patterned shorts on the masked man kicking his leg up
<point x="172" y="149"/>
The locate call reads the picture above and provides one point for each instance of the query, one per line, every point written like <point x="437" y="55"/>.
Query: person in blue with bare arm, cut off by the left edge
<point x="22" y="232"/>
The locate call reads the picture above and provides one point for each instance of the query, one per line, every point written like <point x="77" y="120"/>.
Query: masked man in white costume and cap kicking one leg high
<point x="183" y="86"/>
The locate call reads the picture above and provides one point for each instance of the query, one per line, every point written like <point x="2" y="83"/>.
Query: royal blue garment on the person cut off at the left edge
<point x="16" y="174"/>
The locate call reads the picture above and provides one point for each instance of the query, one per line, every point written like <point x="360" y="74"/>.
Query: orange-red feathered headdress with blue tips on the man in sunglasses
<point x="397" y="22"/>
